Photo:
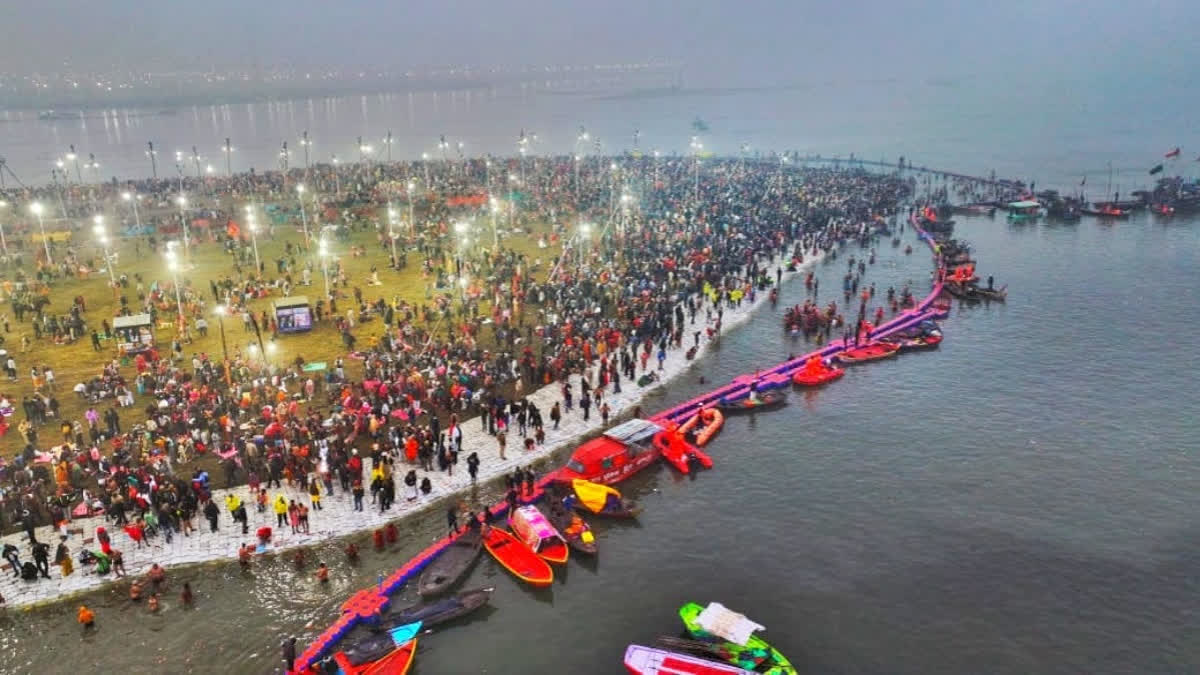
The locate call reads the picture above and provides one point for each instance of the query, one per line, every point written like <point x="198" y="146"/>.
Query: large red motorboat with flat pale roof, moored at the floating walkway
<point x="620" y="453"/>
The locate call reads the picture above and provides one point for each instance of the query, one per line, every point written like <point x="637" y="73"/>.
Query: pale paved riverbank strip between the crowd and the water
<point x="338" y="517"/>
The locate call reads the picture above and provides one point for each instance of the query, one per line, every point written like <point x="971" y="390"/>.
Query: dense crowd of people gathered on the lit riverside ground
<point x="493" y="327"/>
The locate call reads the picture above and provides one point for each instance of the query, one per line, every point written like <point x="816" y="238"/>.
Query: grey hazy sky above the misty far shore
<point x="722" y="43"/>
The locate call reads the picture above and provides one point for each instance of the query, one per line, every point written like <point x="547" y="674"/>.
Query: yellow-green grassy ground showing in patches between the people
<point x="77" y="362"/>
